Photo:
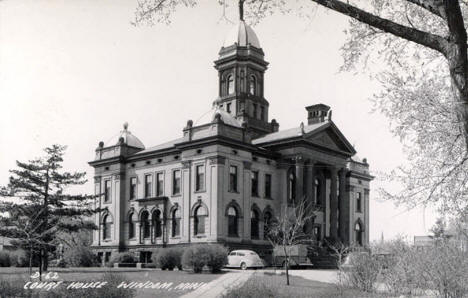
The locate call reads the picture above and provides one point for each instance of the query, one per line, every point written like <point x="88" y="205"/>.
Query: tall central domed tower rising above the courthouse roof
<point x="241" y="67"/>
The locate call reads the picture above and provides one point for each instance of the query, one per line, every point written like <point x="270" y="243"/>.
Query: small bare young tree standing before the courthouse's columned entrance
<point x="287" y="230"/>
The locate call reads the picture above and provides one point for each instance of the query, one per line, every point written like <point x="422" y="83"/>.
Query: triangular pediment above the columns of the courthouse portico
<point x="330" y="137"/>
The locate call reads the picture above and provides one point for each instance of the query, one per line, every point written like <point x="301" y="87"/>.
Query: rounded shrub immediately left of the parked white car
<point x="212" y="255"/>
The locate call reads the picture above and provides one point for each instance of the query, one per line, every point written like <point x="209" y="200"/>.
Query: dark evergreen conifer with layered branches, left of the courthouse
<point x="44" y="209"/>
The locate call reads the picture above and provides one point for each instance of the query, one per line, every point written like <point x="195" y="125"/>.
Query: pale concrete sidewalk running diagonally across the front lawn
<point x="221" y="285"/>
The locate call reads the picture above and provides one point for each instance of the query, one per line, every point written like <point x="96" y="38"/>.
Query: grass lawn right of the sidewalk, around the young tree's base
<point x="272" y="285"/>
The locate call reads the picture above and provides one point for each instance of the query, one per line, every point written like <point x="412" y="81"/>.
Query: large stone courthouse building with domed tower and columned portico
<point x="223" y="181"/>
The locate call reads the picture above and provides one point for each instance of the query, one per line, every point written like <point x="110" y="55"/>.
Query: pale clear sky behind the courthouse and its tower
<point x="72" y="72"/>
